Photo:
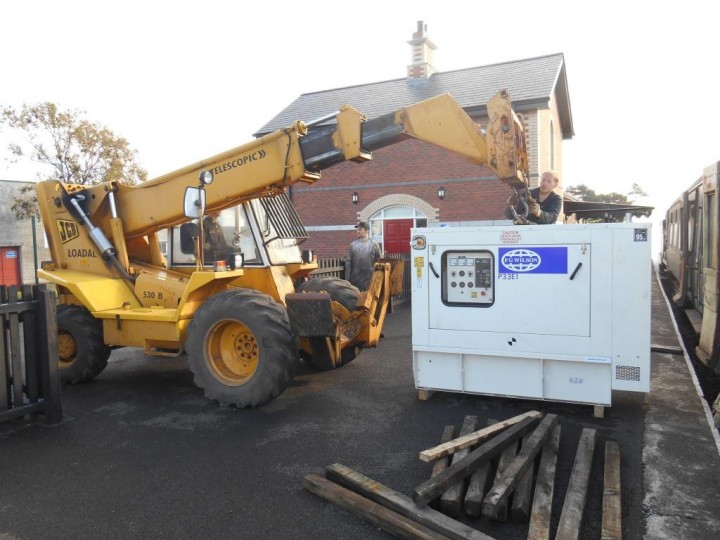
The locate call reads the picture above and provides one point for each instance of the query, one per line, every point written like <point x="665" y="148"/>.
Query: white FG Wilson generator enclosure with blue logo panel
<point x="551" y="312"/>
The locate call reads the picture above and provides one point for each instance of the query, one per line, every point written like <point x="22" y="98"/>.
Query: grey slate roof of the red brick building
<point x="530" y="82"/>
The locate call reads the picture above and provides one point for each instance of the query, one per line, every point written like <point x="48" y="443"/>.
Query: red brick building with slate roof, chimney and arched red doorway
<point x="414" y="183"/>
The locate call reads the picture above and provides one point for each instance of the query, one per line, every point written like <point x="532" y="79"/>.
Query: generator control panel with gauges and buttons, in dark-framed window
<point x="468" y="278"/>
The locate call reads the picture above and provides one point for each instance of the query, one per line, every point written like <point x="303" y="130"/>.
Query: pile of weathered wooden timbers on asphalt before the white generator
<point x="486" y="473"/>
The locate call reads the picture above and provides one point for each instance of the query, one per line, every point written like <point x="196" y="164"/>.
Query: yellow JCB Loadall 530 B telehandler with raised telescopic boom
<point x="237" y="313"/>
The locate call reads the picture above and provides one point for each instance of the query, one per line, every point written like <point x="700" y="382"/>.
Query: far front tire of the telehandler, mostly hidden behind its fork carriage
<point x="346" y="294"/>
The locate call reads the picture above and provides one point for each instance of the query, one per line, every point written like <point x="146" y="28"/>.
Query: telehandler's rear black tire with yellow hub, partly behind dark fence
<point x="82" y="352"/>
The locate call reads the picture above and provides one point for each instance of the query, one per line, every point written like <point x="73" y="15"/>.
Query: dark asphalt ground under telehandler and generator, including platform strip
<point x="142" y="454"/>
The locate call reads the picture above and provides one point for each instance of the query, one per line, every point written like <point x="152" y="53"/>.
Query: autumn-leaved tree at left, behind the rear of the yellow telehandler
<point x="69" y="148"/>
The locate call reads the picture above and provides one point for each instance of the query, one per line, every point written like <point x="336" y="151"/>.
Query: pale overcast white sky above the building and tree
<point x="184" y="80"/>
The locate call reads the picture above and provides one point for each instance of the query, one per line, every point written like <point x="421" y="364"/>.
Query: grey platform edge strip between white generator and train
<point x="681" y="448"/>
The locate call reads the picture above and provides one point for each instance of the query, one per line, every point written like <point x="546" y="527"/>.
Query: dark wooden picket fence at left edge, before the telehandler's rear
<point x="29" y="378"/>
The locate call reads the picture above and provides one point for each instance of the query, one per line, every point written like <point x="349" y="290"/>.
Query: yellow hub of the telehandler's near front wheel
<point x="232" y="352"/>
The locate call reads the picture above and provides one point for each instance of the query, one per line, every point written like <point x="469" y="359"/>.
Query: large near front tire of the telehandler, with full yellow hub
<point x="241" y="349"/>
